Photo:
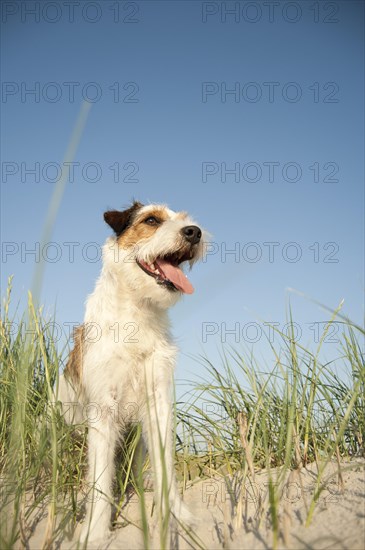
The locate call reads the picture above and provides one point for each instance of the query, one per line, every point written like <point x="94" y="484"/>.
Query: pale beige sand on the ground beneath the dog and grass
<point x="229" y="517"/>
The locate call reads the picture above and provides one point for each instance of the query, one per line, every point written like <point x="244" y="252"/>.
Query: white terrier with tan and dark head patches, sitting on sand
<point x="123" y="357"/>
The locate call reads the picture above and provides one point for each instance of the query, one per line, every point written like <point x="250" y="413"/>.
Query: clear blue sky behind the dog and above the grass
<point x="181" y="94"/>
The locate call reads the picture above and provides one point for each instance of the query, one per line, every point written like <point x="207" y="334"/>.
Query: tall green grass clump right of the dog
<point x="241" y="417"/>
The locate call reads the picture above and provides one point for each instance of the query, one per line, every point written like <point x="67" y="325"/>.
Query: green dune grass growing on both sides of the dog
<point x="237" y="419"/>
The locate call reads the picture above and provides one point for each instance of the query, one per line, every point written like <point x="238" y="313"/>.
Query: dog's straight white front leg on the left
<point x="102" y="438"/>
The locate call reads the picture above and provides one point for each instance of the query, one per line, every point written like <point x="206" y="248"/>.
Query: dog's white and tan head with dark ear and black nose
<point x="151" y="246"/>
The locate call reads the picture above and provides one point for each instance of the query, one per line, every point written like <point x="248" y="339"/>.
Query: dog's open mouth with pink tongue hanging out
<point x="166" y="272"/>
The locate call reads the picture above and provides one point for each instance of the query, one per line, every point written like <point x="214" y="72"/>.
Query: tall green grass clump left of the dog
<point x="41" y="462"/>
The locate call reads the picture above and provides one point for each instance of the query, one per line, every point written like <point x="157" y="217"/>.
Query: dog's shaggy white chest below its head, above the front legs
<point x="128" y="345"/>
